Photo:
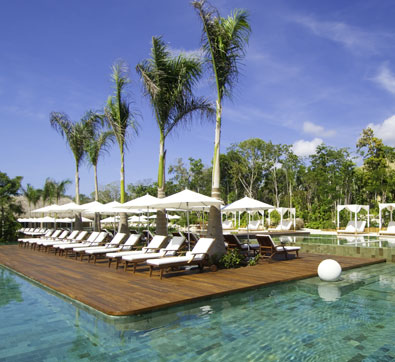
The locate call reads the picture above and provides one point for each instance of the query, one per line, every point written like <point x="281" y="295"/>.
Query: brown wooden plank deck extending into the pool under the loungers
<point x="116" y="292"/>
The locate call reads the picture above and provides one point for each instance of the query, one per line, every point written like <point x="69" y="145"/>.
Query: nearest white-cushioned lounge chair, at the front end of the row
<point x="197" y="256"/>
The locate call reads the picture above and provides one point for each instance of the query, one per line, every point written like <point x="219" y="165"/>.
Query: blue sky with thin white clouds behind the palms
<point x="315" y="71"/>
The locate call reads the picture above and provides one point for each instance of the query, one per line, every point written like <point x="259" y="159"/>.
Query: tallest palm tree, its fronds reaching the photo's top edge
<point x="224" y="41"/>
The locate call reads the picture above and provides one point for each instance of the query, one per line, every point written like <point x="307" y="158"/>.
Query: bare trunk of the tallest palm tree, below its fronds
<point x="214" y="228"/>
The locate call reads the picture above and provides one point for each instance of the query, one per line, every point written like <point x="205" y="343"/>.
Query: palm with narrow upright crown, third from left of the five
<point x="122" y="121"/>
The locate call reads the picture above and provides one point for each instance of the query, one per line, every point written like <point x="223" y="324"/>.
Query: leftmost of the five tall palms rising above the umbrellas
<point x="74" y="133"/>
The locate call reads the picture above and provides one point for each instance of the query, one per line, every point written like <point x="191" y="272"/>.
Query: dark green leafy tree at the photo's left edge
<point x="9" y="208"/>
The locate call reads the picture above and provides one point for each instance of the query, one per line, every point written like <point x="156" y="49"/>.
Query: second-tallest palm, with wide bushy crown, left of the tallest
<point x="168" y="82"/>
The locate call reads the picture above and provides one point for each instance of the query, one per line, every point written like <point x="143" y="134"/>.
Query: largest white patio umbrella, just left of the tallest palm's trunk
<point x="187" y="200"/>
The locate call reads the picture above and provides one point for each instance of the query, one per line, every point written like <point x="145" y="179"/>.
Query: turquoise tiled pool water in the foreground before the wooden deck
<point x="308" y="320"/>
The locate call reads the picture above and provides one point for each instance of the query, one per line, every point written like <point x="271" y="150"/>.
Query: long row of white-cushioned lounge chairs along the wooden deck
<point x="121" y="248"/>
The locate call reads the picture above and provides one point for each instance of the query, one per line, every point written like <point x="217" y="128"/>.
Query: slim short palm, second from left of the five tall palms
<point x="96" y="144"/>
